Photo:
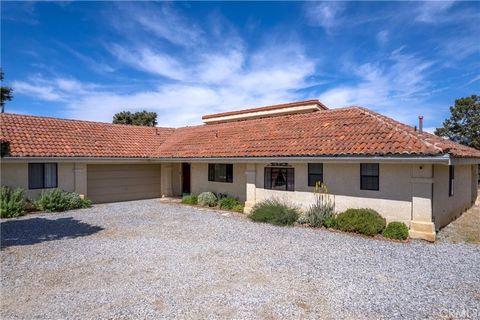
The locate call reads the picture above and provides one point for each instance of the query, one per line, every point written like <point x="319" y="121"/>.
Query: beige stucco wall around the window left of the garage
<point x="16" y="175"/>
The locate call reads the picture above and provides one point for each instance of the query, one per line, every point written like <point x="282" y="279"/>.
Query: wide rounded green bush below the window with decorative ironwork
<point x="275" y="212"/>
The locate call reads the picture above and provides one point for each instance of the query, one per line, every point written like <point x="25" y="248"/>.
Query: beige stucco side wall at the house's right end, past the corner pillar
<point x="446" y="208"/>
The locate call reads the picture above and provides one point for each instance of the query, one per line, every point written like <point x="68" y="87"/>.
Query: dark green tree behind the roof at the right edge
<point x="463" y="126"/>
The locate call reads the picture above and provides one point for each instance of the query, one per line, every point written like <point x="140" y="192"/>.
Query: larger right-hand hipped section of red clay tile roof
<point x="350" y="131"/>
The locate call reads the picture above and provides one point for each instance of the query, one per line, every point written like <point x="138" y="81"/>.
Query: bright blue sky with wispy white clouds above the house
<point x="89" y="60"/>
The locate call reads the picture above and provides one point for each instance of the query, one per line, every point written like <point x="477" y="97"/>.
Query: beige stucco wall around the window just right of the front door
<point x="200" y="183"/>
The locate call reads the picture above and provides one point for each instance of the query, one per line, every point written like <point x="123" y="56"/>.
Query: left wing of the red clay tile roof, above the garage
<point x="31" y="136"/>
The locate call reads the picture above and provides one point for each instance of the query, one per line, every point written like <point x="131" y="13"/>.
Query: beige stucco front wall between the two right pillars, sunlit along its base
<point x="393" y="200"/>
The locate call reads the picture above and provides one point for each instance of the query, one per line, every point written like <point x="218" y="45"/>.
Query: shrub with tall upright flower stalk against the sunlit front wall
<point x="323" y="209"/>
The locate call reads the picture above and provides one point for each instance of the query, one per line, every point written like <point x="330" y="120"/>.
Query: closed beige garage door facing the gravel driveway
<point x="122" y="182"/>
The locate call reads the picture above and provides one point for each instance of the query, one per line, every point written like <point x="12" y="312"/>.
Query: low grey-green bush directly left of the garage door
<point x="57" y="200"/>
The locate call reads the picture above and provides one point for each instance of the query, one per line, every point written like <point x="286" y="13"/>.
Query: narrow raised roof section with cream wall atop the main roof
<point x="264" y="112"/>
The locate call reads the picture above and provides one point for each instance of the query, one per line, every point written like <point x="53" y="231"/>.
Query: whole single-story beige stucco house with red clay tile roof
<point x="367" y="160"/>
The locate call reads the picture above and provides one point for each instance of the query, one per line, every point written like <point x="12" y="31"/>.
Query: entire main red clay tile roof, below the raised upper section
<point x="350" y="131"/>
